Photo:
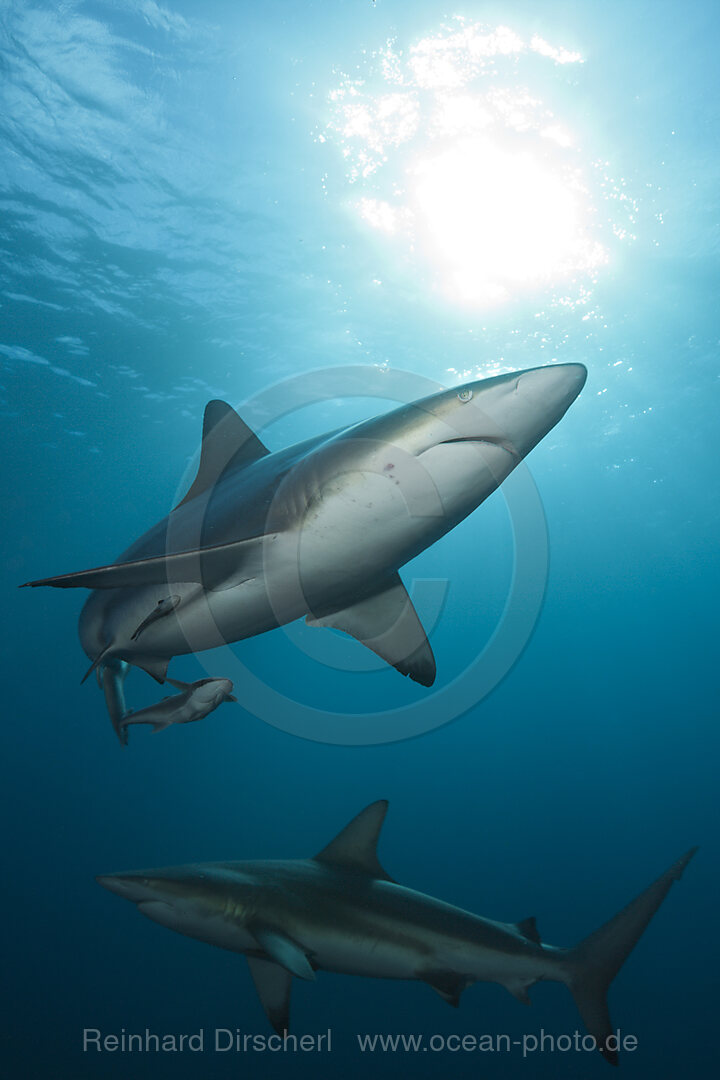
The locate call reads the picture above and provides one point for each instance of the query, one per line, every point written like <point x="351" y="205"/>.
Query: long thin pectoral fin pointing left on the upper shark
<point x="207" y="566"/>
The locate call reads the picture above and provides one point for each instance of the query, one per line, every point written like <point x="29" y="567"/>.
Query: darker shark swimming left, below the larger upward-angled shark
<point x="342" y="912"/>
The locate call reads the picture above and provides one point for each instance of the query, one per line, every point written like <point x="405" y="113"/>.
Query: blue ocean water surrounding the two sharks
<point x="205" y="202"/>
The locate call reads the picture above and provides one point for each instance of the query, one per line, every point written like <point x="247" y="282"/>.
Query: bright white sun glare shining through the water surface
<point x="456" y="160"/>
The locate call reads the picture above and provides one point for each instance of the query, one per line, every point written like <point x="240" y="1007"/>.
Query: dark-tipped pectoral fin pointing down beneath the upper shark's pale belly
<point x="389" y="626"/>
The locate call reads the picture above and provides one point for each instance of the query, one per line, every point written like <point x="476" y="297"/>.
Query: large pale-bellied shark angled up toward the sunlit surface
<point x="320" y="530"/>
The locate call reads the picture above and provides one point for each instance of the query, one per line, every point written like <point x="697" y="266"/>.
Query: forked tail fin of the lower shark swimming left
<point x="593" y="965"/>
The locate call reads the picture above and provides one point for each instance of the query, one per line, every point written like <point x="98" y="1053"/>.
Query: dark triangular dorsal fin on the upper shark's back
<point x="227" y="442"/>
